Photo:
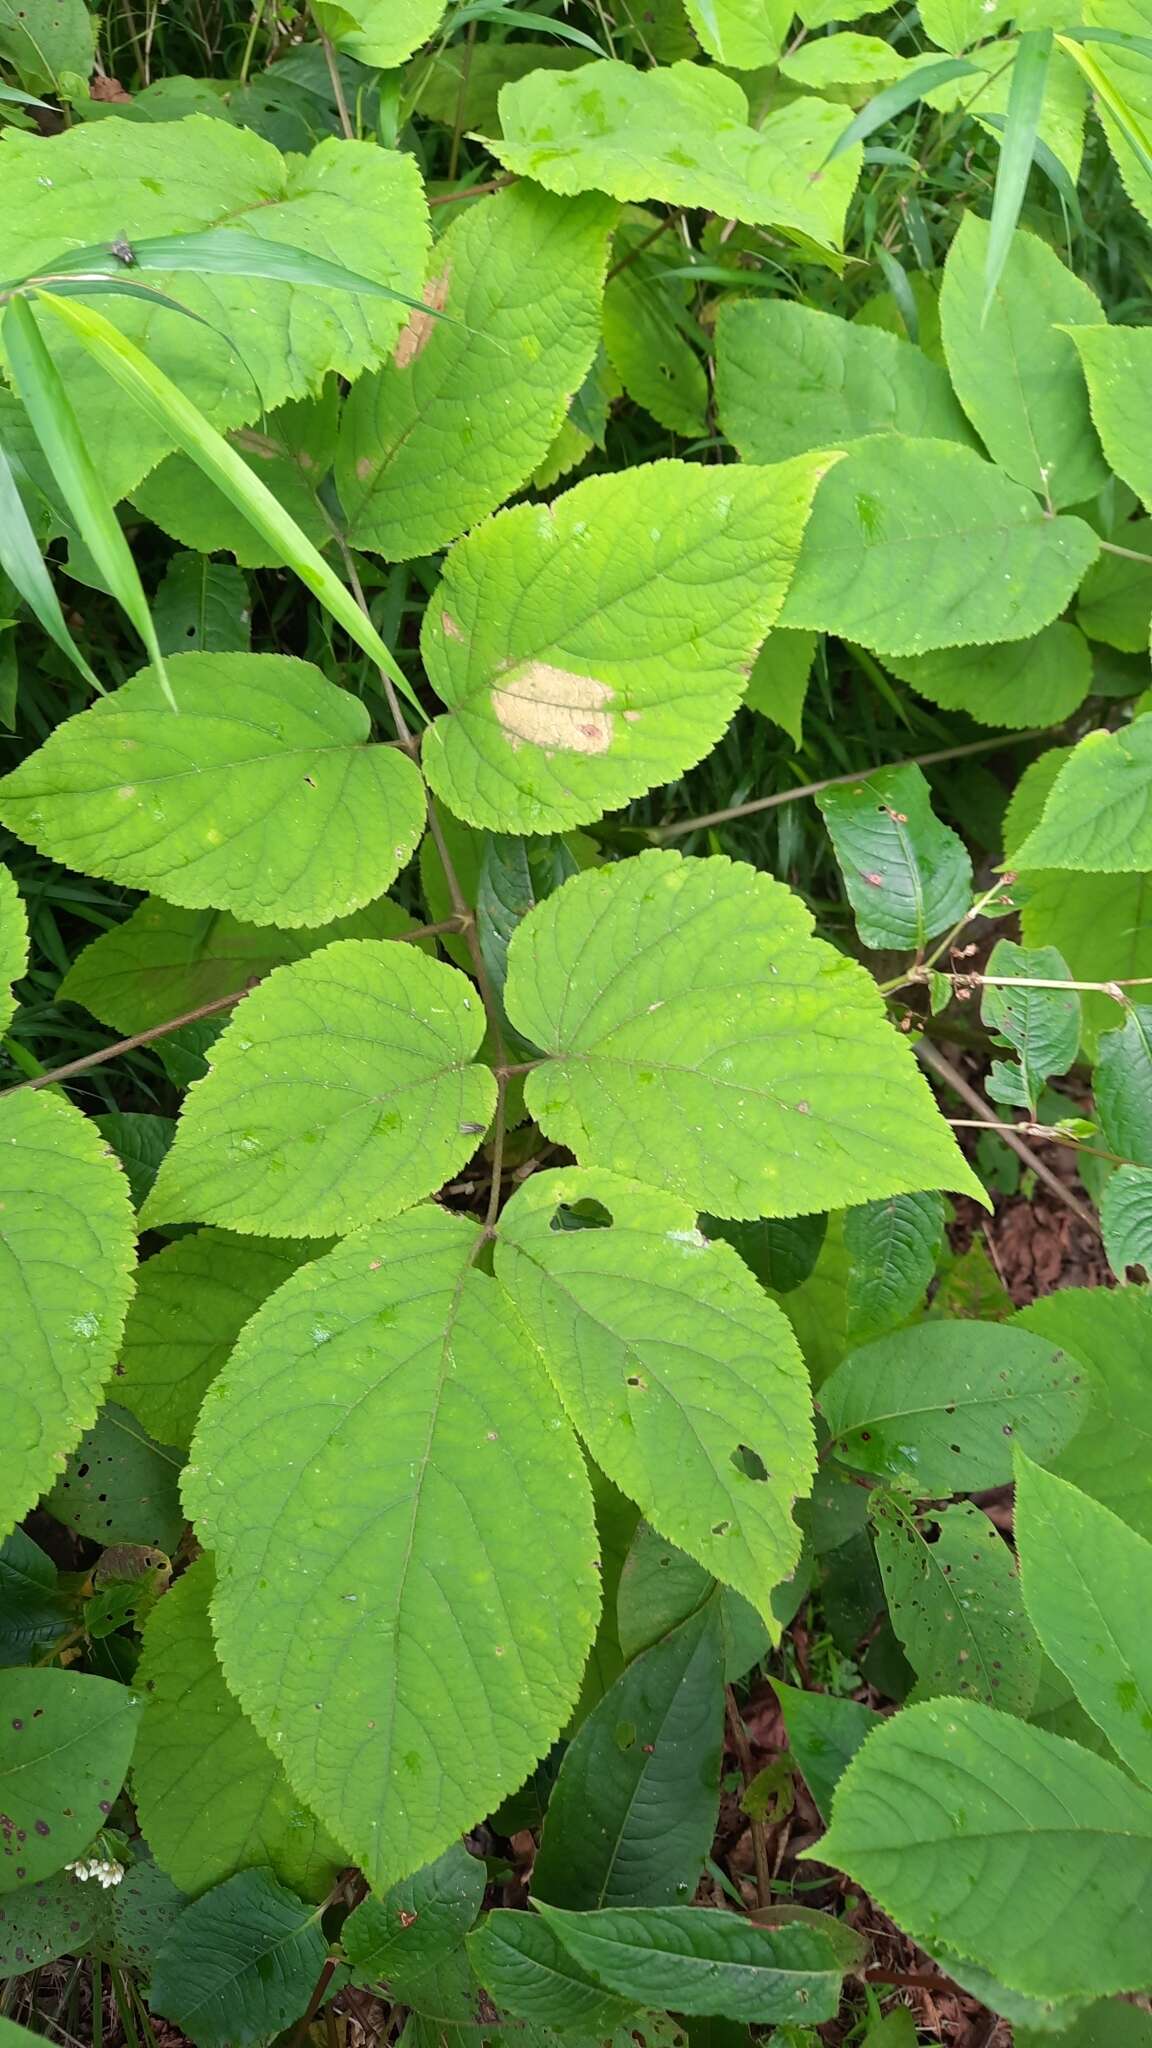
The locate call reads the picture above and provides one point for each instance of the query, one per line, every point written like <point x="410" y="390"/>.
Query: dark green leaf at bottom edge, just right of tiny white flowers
<point x="241" y="1963"/>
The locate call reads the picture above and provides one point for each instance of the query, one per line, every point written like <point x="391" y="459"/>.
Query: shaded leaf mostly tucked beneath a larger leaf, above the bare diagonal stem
<point x="1024" y="683"/>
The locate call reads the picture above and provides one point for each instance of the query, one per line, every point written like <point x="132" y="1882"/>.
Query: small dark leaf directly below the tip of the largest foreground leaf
<point x="417" y="1924"/>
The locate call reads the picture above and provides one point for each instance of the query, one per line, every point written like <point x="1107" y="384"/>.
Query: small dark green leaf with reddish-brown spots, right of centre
<point x="905" y="873"/>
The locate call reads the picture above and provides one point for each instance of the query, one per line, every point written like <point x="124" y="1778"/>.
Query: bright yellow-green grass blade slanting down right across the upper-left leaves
<point x="190" y="429"/>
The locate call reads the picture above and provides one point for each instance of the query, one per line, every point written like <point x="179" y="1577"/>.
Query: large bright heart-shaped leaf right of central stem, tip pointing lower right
<point x="706" y="1043"/>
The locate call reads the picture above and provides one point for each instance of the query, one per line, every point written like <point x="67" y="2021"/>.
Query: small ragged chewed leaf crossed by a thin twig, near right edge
<point x="1040" y="1025"/>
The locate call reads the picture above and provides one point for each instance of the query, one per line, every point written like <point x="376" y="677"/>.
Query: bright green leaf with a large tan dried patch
<point x="598" y="646"/>
